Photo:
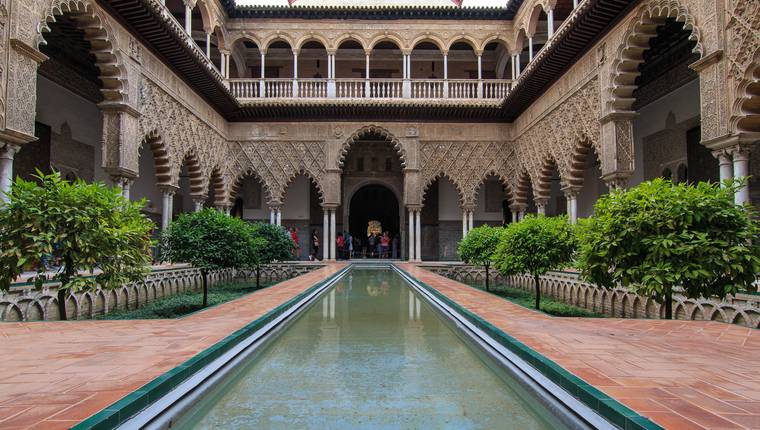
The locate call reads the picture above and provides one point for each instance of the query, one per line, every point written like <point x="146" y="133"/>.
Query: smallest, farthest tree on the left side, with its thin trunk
<point x="270" y="243"/>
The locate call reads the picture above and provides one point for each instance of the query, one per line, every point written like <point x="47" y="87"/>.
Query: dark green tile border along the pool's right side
<point x="614" y="411"/>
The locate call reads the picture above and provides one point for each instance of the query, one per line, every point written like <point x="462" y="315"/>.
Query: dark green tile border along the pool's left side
<point x="129" y="405"/>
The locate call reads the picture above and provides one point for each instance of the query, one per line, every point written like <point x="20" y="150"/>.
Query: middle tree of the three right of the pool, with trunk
<point x="535" y="245"/>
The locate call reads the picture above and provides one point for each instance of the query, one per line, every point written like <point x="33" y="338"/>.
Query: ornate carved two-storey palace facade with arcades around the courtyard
<point x="427" y="117"/>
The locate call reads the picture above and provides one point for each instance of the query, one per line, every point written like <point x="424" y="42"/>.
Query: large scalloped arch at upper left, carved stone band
<point x="98" y="33"/>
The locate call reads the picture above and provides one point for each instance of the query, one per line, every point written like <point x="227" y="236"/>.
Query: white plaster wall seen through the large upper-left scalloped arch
<point x="57" y="105"/>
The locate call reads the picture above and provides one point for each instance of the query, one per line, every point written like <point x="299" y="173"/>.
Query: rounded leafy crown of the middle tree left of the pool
<point x="209" y="240"/>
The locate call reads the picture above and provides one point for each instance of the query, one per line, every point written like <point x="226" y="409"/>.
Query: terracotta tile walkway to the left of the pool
<point x="55" y="374"/>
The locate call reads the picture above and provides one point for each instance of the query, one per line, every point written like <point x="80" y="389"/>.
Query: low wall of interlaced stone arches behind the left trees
<point x="25" y="303"/>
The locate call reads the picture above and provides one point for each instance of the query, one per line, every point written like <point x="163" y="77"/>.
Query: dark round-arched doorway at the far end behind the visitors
<point x="374" y="209"/>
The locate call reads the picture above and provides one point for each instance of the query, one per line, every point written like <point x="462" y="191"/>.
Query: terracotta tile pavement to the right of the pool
<point x="680" y="374"/>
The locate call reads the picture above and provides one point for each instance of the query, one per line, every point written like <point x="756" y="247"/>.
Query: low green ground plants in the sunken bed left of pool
<point x="185" y="303"/>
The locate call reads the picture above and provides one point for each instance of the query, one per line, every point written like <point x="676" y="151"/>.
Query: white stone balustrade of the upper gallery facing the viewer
<point x="375" y="88"/>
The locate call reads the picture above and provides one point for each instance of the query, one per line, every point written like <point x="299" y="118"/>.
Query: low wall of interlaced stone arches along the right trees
<point x="742" y="309"/>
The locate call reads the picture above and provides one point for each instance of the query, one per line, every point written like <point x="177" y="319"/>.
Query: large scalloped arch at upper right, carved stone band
<point x="636" y="40"/>
